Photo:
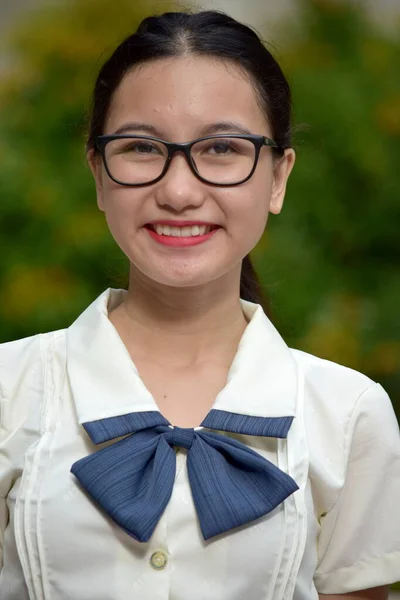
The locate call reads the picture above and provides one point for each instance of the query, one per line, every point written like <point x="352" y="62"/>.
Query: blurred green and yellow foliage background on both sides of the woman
<point x="329" y="263"/>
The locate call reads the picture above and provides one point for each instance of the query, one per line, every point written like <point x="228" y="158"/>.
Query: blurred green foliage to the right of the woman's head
<point x="331" y="260"/>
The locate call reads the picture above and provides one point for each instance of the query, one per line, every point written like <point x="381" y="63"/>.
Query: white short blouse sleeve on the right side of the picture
<point x="359" y="540"/>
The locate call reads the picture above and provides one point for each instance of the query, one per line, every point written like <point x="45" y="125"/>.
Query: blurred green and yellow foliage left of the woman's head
<point x="57" y="252"/>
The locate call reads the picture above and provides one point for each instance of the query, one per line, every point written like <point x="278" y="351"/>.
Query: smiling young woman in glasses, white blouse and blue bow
<point x="168" y="444"/>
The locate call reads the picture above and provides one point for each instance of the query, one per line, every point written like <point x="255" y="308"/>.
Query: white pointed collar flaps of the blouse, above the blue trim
<point x="262" y="380"/>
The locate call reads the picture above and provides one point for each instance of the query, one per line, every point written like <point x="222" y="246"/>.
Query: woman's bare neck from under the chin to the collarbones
<point x="181" y="327"/>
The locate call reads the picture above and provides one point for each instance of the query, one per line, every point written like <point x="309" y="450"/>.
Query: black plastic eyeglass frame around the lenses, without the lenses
<point x="185" y="147"/>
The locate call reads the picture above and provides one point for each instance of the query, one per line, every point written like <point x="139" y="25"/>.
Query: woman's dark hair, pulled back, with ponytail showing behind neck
<point x="207" y="33"/>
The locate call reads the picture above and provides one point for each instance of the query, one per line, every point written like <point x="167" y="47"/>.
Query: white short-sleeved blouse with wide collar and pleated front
<point x="339" y="532"/>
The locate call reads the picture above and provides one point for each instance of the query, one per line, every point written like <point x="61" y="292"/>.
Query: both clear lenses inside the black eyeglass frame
<point x="218" y="160"/>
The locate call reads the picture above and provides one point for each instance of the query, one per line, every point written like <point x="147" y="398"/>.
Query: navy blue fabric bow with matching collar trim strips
<point x="231" y="484"/>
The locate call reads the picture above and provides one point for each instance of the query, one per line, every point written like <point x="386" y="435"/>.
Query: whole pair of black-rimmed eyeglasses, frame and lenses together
<point x="222" y="160"/>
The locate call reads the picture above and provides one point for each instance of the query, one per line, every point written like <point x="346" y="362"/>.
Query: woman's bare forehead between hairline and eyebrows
<point x="185" y="93"/>
